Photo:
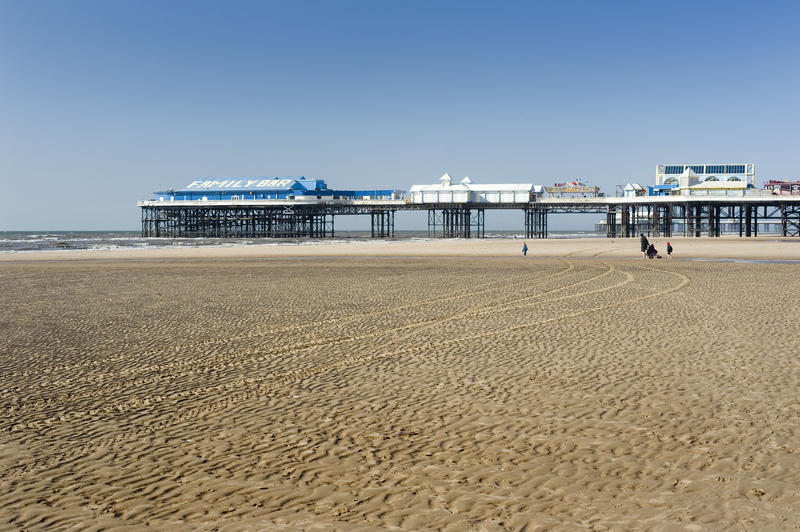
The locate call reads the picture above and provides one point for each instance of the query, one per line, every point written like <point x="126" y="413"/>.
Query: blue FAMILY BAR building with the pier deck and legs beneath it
<point x="263" y="207"/>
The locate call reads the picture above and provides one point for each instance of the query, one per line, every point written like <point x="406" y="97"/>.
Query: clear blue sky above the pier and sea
<point x="103" y="102"/>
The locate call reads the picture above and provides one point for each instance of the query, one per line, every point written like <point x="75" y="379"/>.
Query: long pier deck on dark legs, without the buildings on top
<point x="625" y="217"/>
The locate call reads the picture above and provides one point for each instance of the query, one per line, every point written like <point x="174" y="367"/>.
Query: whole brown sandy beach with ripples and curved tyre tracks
<point x="402" y="385"/>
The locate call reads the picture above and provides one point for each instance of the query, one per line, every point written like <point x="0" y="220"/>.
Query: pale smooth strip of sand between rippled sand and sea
<point x="772" y="248"/>
